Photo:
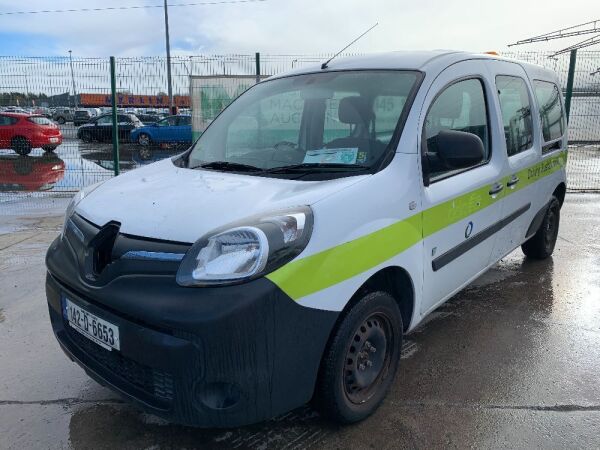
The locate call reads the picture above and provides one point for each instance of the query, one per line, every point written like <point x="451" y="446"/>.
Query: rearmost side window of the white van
<point x="551" y="112"/>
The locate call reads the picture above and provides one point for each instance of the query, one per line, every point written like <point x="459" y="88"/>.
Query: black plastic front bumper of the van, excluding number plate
<point x="210" y="357"/>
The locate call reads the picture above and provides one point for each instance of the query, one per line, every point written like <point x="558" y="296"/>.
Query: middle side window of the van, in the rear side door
<point x="516" y="113"/>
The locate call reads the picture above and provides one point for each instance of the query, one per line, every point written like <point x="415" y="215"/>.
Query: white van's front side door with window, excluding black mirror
<point x="461" y="208"/>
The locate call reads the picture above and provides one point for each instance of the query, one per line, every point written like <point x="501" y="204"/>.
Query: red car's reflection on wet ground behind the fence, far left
<point x="30" y="173"/>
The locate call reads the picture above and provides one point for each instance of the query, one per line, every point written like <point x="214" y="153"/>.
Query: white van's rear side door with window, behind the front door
<point x="515" y="101"/>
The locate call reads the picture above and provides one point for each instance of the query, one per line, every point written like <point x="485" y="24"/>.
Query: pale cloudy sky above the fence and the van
<point x="285" y="26"/>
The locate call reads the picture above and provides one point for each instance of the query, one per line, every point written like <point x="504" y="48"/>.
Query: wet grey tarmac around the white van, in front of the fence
<point x="511" y="362"/>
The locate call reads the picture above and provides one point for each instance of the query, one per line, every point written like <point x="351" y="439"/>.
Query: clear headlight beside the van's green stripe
<point x="246" y="250"/>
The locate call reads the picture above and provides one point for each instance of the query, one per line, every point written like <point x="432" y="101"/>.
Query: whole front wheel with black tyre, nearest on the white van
<point x="361" y="359"/>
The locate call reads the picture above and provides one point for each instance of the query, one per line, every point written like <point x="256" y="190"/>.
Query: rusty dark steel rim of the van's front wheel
<point x="368" y="358"/>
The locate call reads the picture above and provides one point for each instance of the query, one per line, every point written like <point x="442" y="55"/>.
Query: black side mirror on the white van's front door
<point x="459" y="149"/>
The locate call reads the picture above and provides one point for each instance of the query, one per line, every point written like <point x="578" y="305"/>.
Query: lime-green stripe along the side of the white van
<point x="324" y="269"/>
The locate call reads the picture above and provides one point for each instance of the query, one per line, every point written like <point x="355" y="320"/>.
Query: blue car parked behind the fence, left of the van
<point x="170" y="130"/>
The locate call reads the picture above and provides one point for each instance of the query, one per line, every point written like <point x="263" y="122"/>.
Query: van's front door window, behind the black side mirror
<point x="460" y="107"/>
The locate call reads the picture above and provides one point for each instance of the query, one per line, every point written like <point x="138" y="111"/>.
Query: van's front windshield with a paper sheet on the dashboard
<point x="332" y="122"/>
